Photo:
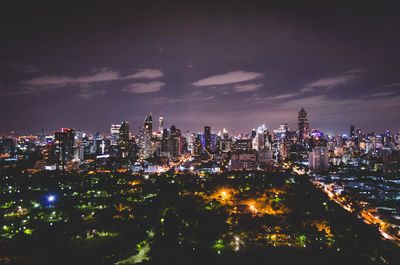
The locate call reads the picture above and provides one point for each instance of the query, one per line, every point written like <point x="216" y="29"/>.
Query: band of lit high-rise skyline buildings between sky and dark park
<point x="158" y="145"/>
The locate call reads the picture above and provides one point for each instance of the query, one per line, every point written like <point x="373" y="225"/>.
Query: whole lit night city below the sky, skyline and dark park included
<point x="168" y="196"/>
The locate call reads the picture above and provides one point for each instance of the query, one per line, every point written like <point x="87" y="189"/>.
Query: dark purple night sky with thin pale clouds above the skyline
<point x="233" y="64"/>
